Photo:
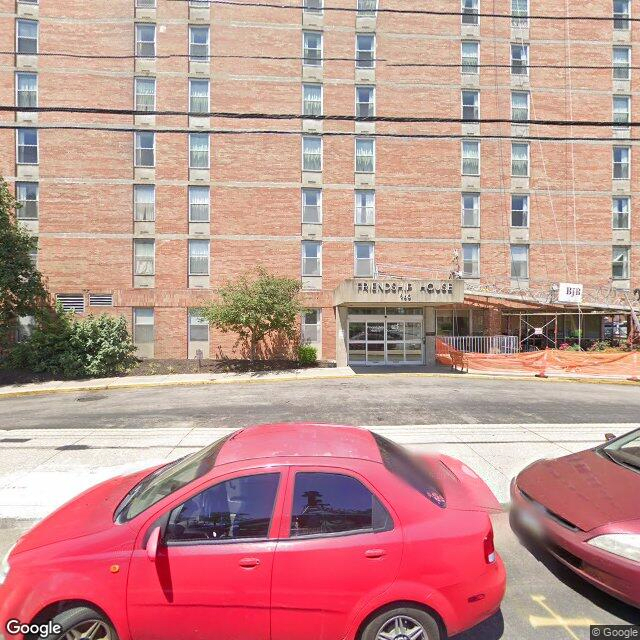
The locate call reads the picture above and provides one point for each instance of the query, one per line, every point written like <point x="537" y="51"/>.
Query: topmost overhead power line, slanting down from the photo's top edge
<point x="426" y="12"/>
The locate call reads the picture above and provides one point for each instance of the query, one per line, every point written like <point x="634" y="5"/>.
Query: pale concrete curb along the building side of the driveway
<point x="110" y="386"/>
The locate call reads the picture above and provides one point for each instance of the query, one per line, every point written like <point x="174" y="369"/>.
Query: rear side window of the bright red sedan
<point x="332" y="503"/>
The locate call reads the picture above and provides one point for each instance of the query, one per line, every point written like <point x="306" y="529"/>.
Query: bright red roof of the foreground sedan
<point x="292" y="440"/>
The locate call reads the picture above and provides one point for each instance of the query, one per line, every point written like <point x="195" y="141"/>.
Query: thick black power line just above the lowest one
<point x="330" y="117"/>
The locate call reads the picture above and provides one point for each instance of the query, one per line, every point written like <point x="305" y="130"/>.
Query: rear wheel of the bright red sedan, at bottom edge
<point x="402" y="623"/>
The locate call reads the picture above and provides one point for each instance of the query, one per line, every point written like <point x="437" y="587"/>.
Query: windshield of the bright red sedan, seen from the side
<point x="168" y="480"/>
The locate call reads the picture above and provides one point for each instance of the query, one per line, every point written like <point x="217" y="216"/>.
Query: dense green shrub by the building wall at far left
<point x="94" y="346"/>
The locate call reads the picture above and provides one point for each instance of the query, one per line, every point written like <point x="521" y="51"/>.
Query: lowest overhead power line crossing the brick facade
<point x="324" y="134"/>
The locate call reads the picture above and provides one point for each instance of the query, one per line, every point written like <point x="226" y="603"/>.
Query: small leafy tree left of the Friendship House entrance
<point x="257" y="306"/>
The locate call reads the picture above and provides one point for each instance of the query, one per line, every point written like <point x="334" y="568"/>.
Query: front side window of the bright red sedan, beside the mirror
<point x="232" y="510"/>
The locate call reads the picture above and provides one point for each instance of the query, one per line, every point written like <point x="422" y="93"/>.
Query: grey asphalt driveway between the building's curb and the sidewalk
<point x="375" y="400"/>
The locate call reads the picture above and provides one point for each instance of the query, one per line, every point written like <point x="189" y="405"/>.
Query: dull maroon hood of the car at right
<point x="586" y="489"/>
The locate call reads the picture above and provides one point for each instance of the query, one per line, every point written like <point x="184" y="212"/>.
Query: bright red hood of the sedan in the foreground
<point x="87" y="514"/>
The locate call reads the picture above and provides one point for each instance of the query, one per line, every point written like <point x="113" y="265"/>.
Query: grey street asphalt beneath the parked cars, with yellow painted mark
<point x="544" y="601"/>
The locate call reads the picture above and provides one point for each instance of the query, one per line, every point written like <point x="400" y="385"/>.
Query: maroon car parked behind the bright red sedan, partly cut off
<point x="585" y="509"/>
